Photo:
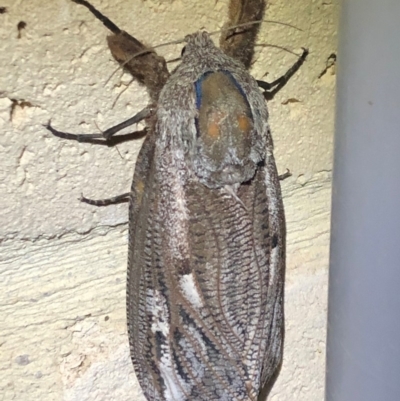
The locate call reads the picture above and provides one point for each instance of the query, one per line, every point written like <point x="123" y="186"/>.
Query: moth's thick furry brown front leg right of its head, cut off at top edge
<point x="239" y="42"/>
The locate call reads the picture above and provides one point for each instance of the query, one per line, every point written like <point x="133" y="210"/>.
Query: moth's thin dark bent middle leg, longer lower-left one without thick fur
<point x="107" y="137"/>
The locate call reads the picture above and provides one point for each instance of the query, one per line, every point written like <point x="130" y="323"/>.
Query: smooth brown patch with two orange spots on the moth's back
<point x="225" y="128"/>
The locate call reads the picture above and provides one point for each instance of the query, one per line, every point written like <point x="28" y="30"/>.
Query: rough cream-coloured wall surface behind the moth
<point x="62" y="263"/>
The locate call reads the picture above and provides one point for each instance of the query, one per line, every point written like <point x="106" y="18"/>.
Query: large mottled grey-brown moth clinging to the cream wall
<point x="206" y="256"/>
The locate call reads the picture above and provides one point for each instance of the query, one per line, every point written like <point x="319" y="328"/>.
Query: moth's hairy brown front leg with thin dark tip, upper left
<point x="142" y="62"/>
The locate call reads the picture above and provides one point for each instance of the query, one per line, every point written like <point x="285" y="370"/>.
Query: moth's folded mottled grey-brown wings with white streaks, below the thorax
<point x="209" y="326"/>
